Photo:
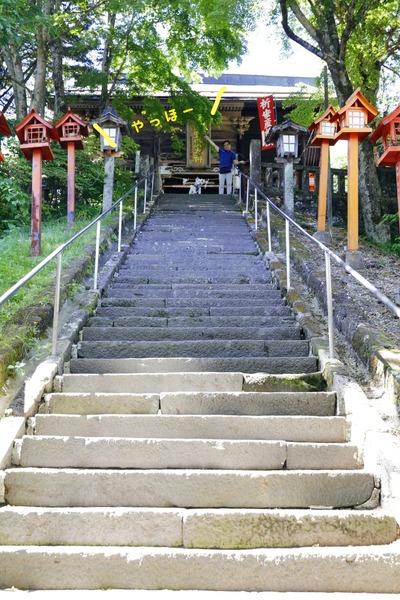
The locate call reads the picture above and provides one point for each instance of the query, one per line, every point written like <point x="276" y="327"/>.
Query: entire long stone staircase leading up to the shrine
<point x="192" y="444"/>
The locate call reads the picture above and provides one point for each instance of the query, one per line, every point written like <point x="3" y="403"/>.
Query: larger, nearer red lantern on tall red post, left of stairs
<point x="35" y="134"/>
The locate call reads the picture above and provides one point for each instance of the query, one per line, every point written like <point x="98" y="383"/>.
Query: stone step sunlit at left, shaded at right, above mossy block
<point x="296" y="366"/>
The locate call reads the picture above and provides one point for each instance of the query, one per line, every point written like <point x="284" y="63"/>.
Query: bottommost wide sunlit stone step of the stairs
<point x="310" y="569"/>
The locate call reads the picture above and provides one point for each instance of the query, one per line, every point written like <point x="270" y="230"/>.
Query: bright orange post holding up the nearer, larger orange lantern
<point x="352" y="194"/>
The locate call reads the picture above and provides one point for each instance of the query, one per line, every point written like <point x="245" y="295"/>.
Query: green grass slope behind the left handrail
<point x="16" y="262"/>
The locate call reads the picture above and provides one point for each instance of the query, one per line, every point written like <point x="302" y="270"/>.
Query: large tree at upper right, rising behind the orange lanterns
<point x="359" y="40"/>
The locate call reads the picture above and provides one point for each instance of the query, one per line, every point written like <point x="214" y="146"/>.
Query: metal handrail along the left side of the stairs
<point x="57" y="253"/>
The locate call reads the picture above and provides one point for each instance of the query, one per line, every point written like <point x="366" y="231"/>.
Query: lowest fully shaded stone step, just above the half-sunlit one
<point x="196" y="348"/>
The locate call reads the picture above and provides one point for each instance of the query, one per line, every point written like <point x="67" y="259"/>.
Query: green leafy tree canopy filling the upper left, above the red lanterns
<point x="146" y="45"/>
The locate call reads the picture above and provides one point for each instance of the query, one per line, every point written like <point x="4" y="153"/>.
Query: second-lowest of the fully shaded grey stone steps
<point x="189" y="333"/>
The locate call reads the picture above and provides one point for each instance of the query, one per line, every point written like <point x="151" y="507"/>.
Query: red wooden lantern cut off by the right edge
<point x="388" y="131"/>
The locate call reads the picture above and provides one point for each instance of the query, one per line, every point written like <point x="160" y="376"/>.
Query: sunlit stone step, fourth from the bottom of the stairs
<point x="164" y="453"/>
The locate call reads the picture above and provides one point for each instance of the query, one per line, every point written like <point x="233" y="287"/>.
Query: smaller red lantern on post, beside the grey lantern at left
<point x="70" y="129"/>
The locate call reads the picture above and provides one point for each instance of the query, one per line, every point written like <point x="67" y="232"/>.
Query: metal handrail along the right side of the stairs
<point x="329" y="254"/>
